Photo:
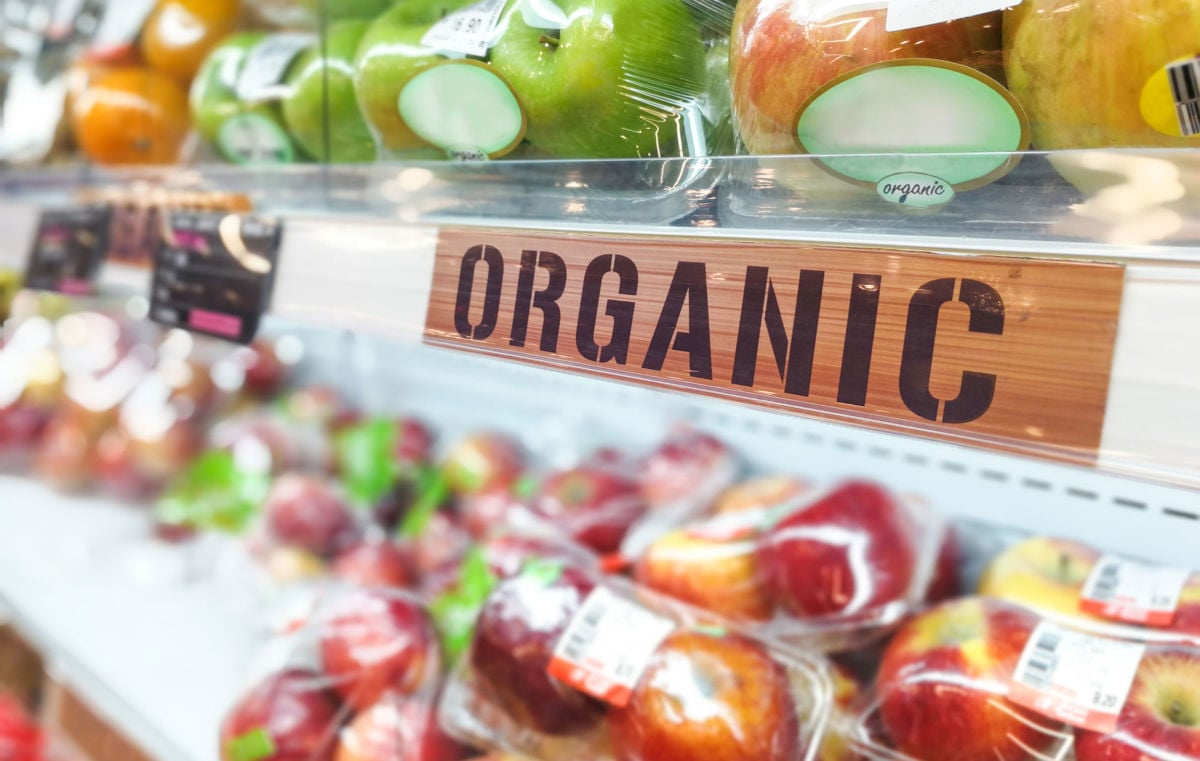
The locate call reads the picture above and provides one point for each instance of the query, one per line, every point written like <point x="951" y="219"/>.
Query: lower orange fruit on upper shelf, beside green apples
<point x="131" y="117"/>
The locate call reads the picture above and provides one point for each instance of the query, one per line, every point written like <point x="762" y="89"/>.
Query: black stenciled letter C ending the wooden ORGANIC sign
<point x="977" y="390"/>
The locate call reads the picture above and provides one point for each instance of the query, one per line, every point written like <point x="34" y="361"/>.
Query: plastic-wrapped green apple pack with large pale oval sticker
<point x="477" y="80"/>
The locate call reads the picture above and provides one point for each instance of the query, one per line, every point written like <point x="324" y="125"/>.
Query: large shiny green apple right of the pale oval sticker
<point x="615" y="81"/>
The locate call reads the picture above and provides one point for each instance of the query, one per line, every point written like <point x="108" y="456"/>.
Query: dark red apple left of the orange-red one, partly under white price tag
<point x="515" y="638"/>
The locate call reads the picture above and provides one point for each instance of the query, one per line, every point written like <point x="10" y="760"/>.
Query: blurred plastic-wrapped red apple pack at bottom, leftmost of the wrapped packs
<point x="358" y="682"/>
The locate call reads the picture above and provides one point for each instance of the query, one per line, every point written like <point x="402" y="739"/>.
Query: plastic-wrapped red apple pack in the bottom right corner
<point x="979" y="679"/>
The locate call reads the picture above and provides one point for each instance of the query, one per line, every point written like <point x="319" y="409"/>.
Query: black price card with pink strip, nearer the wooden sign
<point x="214" y="273"/>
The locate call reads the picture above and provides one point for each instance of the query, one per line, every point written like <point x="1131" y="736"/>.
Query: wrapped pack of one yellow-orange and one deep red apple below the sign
<point x="835" y="571"/>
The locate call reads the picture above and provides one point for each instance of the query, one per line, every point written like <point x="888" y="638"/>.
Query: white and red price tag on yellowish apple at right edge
<point x="1133" y="592"/>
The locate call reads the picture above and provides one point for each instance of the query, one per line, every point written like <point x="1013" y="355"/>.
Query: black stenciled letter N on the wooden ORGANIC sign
<point x="761" y="307"/>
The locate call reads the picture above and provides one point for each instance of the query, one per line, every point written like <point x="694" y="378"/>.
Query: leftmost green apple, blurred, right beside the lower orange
<point x="242" y="133"/>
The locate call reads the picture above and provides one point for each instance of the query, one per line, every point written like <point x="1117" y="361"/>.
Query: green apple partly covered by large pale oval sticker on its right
<point x="389" y="56"/>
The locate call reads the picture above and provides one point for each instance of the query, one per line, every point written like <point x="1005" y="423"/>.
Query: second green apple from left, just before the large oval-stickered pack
<point x="325" y="80"/>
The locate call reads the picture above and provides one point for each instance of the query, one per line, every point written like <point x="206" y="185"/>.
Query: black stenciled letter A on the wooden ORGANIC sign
<point x="691" y="283"/>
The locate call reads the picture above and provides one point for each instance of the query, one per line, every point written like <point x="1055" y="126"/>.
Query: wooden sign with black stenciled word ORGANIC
<point x="997" y="350"/>
